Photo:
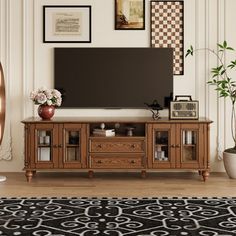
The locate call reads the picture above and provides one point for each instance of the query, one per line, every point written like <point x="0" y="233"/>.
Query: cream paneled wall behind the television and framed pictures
<point x="28" y="62"/>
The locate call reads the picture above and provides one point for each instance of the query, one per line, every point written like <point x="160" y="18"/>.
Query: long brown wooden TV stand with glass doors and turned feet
<point x="71" y="143"/>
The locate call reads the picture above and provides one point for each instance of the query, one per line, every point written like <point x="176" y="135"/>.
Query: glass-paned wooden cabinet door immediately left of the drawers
<point x="72" y="146"/>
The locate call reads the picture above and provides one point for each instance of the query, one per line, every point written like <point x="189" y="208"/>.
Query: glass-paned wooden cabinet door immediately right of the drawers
<point x="161" y="141"/>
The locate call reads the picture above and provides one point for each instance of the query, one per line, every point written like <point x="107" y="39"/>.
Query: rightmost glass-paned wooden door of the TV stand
<point x="189" y="146"/>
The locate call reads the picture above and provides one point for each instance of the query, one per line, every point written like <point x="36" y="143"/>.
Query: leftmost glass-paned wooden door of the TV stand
<point x="43" y="151"/>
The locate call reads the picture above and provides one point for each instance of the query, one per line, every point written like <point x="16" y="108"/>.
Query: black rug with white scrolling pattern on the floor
<point x="118" y="216"/>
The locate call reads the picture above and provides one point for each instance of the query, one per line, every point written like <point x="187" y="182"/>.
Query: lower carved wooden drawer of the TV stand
<point x="117" y="161"/>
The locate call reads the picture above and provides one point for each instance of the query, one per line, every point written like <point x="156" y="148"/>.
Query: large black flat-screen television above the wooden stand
<point x="113" y="77"/>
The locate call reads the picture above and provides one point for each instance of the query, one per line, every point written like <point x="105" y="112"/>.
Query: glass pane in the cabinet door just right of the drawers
<point x="161" y="146"/>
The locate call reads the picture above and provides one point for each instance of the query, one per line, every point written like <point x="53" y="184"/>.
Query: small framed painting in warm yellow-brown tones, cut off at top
<point x="129" y="14"/>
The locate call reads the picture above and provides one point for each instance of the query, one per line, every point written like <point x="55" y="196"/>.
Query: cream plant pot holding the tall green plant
<point x="229" y="159"/>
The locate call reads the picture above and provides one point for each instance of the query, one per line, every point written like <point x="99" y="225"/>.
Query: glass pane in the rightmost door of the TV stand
<point x="189" y="146"/>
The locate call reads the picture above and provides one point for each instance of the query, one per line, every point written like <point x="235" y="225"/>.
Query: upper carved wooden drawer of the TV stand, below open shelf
<point x="117" y="146"/>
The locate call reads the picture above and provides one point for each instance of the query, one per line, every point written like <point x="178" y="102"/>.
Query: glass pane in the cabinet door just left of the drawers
<point x="72" y="146"/>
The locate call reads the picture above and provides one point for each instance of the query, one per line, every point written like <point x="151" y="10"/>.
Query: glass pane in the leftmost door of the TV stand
<point x="44" y="145"/>
